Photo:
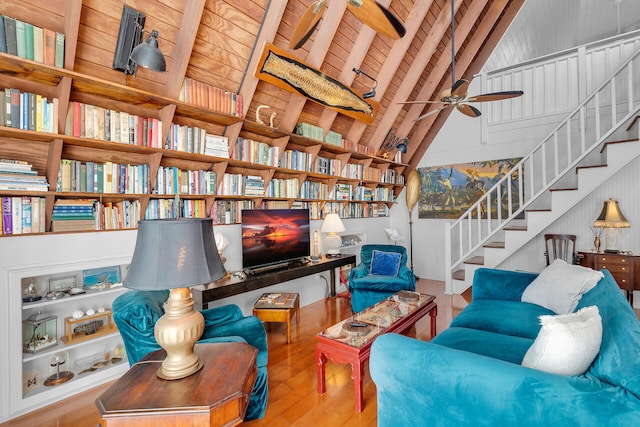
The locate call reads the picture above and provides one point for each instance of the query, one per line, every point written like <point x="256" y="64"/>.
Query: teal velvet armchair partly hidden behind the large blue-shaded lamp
<point x="136" y="313"/>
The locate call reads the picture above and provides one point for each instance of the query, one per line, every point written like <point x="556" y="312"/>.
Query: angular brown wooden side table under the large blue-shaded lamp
<point x="216" y="395"/>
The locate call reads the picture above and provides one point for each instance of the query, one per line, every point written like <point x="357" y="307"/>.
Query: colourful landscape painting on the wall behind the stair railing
<point x="448" y="191"/>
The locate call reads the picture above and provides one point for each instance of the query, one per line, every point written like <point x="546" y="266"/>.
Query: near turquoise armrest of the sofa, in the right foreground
<point x="435" y="385"/>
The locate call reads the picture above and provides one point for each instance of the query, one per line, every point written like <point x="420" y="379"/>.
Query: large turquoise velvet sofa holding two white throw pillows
<point x="470" y="374"/>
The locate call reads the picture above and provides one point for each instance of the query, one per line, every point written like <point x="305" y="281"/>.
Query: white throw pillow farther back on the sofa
<point x="560" y="286"/>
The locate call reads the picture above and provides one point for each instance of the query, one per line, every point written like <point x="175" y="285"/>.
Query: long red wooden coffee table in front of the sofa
<point x="350" y="340"/>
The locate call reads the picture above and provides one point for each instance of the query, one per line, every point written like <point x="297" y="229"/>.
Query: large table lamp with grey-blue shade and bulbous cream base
<point x="176" y="254"/>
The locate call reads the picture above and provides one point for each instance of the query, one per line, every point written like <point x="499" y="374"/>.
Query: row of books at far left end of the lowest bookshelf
<point x="22" y="215"/>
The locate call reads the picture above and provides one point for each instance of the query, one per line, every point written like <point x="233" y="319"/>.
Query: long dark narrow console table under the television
<point x="234" y="285"/>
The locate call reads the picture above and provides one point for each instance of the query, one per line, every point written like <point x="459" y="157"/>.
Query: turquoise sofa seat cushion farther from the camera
<point x="503" y="317"/>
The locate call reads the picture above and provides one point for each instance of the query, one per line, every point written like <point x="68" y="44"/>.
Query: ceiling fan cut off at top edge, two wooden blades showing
<point x="370" y="12"/>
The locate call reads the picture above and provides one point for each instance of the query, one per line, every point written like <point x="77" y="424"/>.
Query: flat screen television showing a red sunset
<point x="274" y="236"/>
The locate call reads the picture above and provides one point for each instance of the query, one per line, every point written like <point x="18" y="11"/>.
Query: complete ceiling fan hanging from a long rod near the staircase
<point x="456" y="96"/>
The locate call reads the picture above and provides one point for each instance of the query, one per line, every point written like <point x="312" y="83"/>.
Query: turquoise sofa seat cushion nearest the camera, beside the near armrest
<point x="498" y="346"/>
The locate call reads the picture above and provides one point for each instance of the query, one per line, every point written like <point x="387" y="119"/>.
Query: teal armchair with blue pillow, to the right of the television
<point x="368" y="286"/>
